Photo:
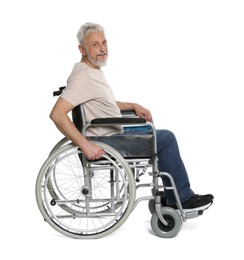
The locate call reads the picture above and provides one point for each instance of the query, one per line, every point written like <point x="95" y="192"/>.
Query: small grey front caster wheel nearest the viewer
<point x="173" y="219"/>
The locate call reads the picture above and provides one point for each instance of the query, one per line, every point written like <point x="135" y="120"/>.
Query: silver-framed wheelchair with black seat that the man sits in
<point x="85" y="199"/>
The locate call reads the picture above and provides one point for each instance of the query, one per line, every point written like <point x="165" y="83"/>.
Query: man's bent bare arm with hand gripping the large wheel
<point x="59" y="116"/>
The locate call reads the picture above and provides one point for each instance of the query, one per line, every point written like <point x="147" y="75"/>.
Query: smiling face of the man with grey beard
<point x="95" y="50"/>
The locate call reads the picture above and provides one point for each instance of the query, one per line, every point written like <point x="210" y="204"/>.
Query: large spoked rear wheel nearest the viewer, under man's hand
<point x="85" y="199"/>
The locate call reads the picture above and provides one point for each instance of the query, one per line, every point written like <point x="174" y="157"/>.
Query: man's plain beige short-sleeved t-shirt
<point x="88" y="87"/>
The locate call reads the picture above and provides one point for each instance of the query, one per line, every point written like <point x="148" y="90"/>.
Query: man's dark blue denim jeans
<point x="169" y="160"/>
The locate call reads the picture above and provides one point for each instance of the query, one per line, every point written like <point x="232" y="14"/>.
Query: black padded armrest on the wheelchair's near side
<point x="118" y="120"/>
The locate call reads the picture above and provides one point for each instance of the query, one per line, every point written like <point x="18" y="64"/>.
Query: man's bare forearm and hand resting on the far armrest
<point x="139" y="110"/>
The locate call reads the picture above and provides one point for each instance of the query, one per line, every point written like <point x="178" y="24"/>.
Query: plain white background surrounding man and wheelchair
<point x="184" y="60"/>
